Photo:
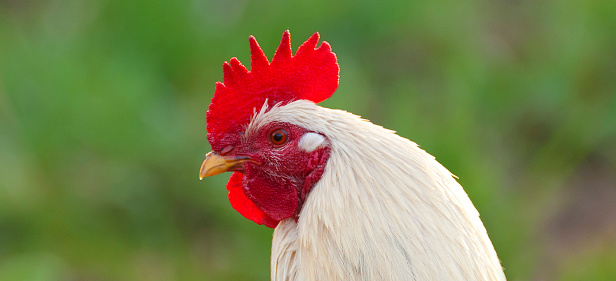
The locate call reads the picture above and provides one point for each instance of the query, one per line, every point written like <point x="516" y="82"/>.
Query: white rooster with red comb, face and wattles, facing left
<point x="348" y="199"/>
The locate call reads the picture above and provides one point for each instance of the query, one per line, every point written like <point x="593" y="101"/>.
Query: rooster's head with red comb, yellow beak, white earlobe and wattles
<point x="275" y="163"/>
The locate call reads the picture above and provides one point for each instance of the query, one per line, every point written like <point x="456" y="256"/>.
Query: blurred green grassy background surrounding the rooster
<point x="102" y="126"/>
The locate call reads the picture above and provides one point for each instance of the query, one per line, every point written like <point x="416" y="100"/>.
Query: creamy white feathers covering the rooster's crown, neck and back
<point x="384" y="209"/>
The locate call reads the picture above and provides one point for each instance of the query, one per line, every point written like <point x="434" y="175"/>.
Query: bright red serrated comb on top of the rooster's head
<point x="310" y="74"/>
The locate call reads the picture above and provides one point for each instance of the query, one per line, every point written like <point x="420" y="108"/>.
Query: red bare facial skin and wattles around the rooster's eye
<point x="279" y="177"/>
